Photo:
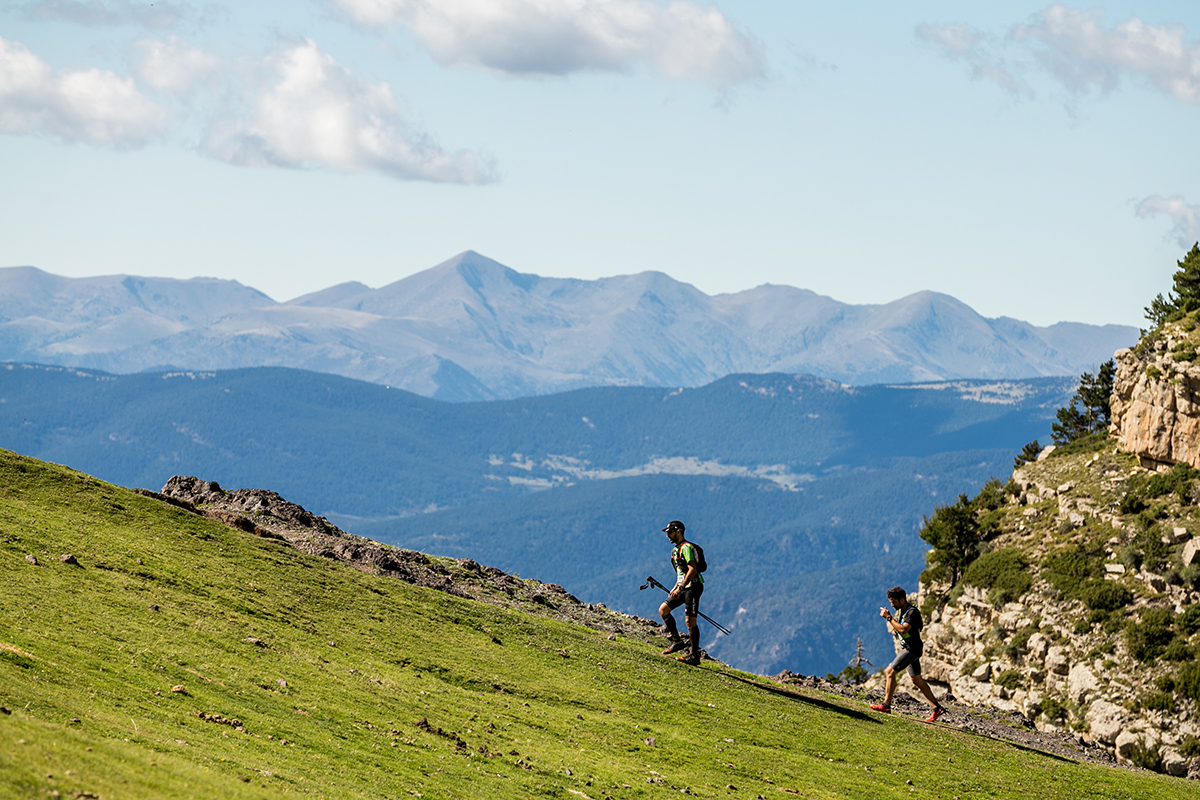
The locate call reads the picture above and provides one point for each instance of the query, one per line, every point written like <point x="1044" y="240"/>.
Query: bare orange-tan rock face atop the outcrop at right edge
<point x="1156" y="402"/>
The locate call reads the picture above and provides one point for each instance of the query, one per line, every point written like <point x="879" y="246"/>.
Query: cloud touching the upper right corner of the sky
<point x="1082" y="53"/>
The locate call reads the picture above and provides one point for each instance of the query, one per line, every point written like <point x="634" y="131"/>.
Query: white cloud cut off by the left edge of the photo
<point x="93" y="106"/>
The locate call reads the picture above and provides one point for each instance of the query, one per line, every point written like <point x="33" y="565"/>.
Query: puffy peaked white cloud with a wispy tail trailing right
<point x="310" y="111"/>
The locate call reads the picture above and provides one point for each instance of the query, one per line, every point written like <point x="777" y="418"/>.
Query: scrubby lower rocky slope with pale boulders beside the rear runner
<point x="1101" y="633"/>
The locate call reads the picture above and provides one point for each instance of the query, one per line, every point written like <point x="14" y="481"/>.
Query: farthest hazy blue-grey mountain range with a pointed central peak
<point x="473" y="329"/>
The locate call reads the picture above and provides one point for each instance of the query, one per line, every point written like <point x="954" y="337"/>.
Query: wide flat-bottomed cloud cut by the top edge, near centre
<point x="683" y="40"/>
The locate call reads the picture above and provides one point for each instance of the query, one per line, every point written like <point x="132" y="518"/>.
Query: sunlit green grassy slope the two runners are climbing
<point x="362" y="687"/>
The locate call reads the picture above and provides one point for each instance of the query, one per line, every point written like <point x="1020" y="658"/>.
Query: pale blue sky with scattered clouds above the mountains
<point x="1034" y="160"/>
